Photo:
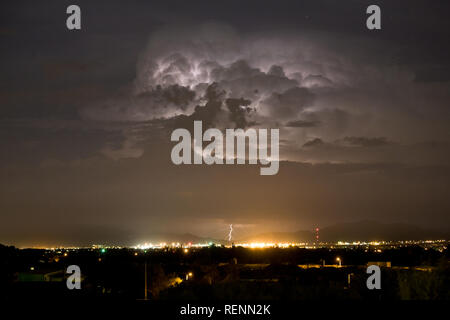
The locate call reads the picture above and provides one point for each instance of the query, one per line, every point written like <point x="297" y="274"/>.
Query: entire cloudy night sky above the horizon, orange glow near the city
<point x="86" y="116"/>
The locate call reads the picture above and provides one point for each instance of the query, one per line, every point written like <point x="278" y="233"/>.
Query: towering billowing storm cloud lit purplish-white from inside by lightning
<point x="293" y="82"/>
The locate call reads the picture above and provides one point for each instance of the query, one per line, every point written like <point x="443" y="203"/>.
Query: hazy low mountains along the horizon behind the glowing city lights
<point x="346" y="231"/>
